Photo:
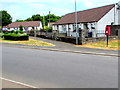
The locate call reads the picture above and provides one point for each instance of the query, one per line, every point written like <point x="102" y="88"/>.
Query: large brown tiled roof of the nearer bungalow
<point x="91" y="15"/>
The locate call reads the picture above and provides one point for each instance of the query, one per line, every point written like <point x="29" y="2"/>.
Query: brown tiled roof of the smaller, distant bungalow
<point x="24" y="24"/>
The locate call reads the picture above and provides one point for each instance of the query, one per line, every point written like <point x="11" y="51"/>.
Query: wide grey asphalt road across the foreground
<point x="50" y="69"/>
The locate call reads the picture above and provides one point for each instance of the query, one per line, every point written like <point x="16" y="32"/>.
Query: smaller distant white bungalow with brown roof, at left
<point x="28" y="25"/>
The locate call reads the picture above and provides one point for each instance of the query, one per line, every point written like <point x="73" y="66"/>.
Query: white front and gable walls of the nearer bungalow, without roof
<point x="99" y="30"/>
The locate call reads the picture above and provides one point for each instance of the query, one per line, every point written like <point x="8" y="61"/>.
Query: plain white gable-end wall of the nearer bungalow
<point x="106" y="20"/>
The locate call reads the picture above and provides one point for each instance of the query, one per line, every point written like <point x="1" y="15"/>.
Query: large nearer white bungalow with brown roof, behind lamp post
<point x="92" y="21"/>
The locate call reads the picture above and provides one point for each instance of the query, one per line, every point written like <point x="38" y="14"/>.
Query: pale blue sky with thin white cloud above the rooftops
<point x="23" y="9"/>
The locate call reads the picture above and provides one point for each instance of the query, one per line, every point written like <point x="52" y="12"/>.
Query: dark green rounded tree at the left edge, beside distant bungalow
<point x="6" y="18"/>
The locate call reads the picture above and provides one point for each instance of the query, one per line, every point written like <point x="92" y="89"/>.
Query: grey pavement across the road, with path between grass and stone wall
<point x="67" y="47"/>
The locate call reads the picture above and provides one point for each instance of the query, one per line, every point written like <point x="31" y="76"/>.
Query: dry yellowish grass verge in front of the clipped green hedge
<point x="28" y="42"/>
